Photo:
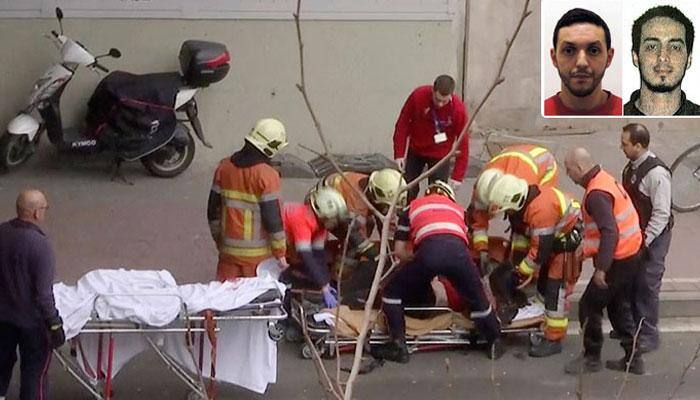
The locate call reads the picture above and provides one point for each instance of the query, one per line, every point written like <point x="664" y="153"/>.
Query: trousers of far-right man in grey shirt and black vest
<point x="645" y="302"/>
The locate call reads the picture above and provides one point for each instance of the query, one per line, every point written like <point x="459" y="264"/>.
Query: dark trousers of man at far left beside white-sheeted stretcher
<point x="35" y="356"/>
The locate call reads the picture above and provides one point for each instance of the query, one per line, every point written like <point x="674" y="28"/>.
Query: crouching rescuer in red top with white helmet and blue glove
<point x="307" y="225"/>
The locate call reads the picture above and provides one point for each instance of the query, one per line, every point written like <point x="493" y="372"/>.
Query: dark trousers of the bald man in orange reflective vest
<point x="620" y="279"/>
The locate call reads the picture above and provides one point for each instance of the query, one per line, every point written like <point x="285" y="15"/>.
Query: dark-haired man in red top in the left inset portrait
<point x="581" y="54"/>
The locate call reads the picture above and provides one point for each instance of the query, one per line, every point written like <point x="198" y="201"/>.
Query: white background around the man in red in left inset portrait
<point x="611" y="12"/>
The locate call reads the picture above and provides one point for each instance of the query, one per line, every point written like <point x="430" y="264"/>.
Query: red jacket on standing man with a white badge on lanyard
<point x="416" y="122"/>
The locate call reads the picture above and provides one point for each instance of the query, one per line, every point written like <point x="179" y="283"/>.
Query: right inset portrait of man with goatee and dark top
<point x="659" y="78"/>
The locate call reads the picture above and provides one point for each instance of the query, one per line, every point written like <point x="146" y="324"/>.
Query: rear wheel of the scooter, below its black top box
<point x="170" y="160"/>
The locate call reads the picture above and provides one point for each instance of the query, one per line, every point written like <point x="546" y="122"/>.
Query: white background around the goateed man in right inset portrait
<point x="630" y="78"/>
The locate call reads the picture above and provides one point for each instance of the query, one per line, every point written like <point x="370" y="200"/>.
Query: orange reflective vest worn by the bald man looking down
<point x="629" y="233"/>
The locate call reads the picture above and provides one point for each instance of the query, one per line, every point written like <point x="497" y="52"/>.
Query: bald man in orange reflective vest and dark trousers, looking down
<point x="612" y="238"/>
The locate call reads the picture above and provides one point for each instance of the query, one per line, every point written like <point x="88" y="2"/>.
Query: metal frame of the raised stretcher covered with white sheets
<point x="203" y="323"/>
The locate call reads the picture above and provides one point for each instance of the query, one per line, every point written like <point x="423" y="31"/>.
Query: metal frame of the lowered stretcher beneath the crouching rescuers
<point x="325" y="340"/>
